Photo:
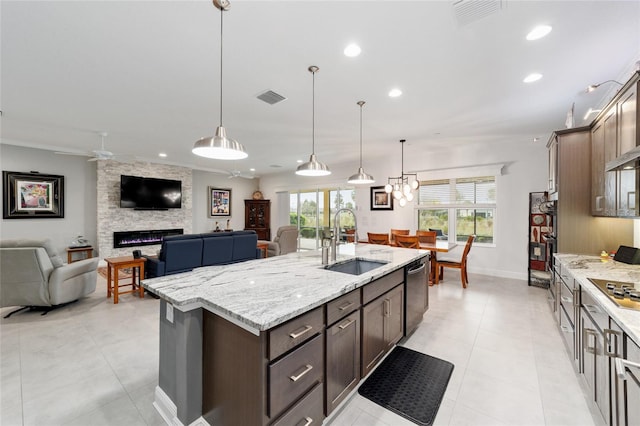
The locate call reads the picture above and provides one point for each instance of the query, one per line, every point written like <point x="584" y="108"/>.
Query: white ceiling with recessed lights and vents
<point x="147" y="72"/>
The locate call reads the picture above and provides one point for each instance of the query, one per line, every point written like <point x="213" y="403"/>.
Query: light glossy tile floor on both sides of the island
<point x="95" y="363"/>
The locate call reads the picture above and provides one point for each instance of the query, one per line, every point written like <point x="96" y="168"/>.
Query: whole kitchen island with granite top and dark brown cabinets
<point x="227" y="334"/>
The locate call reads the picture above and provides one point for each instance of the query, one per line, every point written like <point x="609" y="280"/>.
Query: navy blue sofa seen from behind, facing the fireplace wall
<point x="183" y="253"/>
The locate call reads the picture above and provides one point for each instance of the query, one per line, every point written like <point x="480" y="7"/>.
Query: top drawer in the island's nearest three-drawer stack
<point x="294" y="332"/>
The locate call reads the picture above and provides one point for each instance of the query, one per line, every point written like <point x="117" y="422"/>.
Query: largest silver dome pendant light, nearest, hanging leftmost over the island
<point x="219" y="146"/>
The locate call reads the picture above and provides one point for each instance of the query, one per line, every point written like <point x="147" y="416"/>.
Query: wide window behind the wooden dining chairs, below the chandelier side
<point x="465" y="205"/>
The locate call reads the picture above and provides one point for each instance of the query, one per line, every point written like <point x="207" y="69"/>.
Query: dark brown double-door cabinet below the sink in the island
<point x="382" y="326"/>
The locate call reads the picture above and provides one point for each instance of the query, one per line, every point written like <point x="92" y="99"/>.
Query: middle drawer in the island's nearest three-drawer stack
<point x="296" y="373"/>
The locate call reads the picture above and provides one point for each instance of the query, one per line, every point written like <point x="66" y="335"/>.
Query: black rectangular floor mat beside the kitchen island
<point x="409" y="383"/>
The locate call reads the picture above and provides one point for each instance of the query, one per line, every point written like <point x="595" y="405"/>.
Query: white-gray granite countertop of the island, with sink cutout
<point x="260" y="294"/>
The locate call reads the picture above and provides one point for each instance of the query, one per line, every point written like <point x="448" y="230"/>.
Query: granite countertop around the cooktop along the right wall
<point x="582" y="267"/>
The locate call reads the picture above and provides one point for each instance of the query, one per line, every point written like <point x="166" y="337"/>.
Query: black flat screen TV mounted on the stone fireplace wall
<point x="150" y="193"/>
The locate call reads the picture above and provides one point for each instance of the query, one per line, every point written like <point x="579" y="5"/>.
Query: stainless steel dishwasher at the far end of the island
<point x="416" y="293"/>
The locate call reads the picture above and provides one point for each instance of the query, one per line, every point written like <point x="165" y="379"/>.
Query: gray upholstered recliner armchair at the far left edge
<point x="32" y="274"/>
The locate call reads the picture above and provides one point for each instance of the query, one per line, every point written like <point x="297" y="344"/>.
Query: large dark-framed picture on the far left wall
<point x="32" y="195"/>
